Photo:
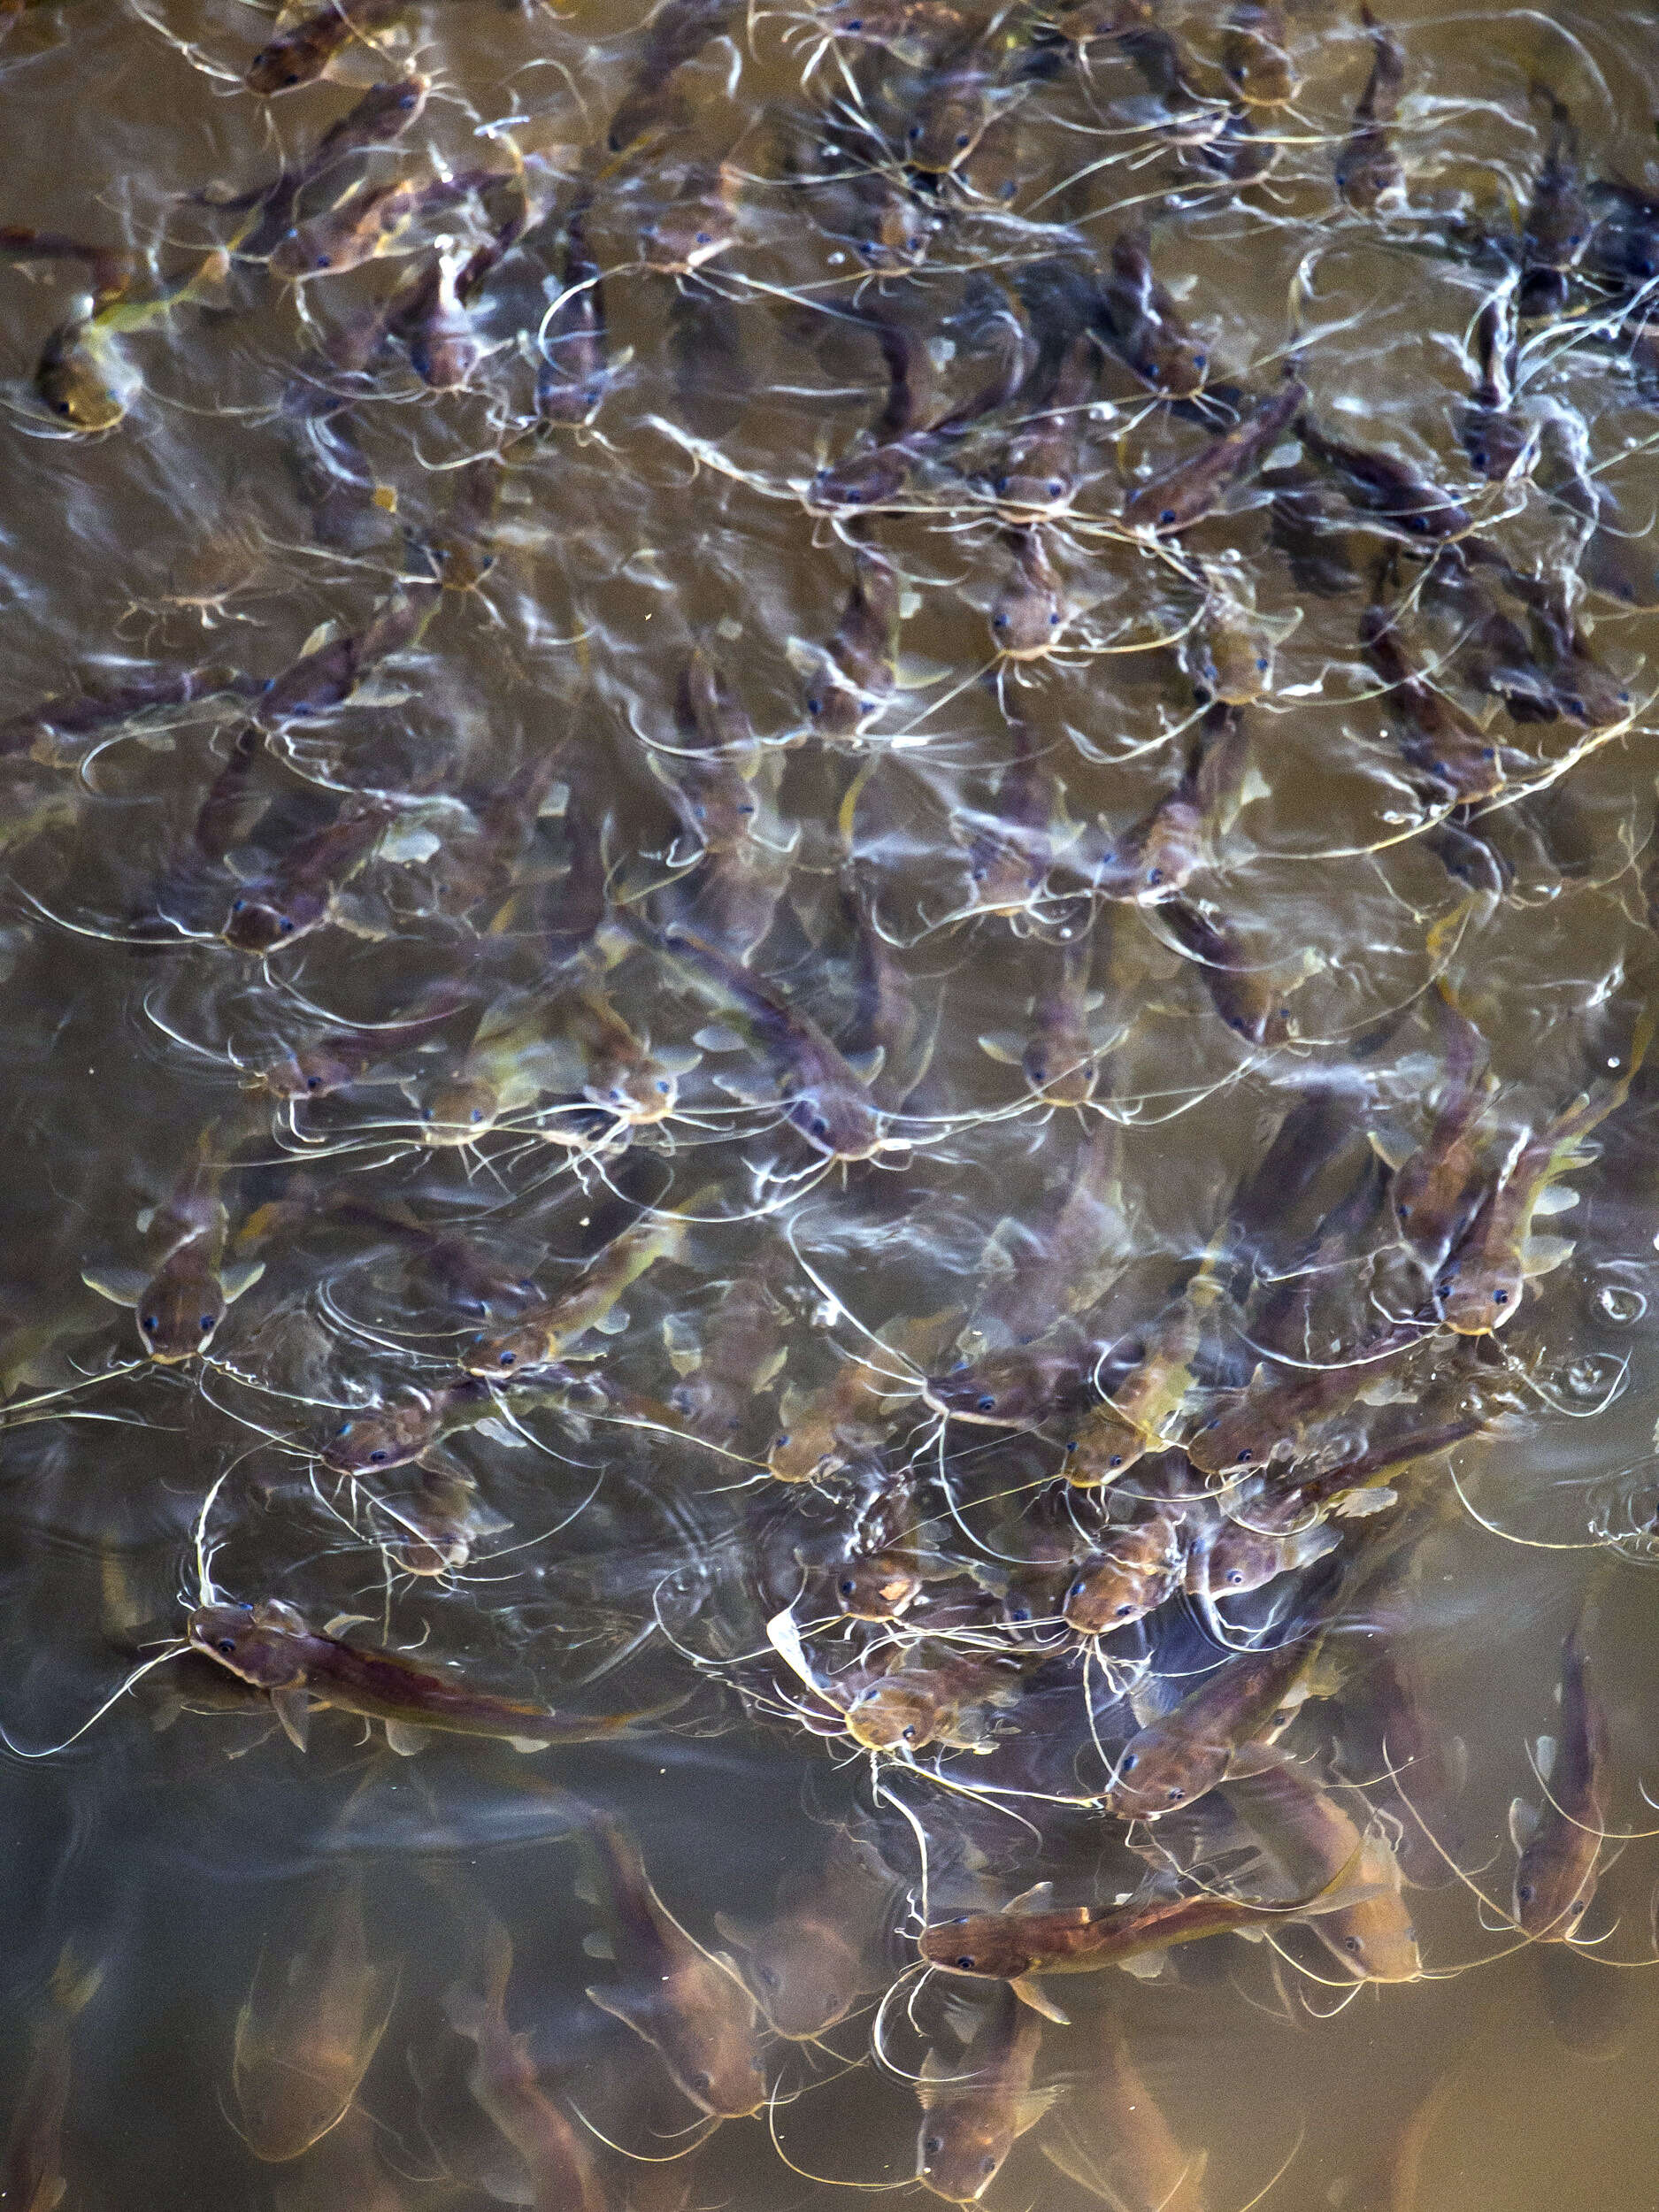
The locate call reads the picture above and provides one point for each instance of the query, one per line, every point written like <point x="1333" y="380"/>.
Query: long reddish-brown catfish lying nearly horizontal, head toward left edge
<point x="300" y="1667"/>
